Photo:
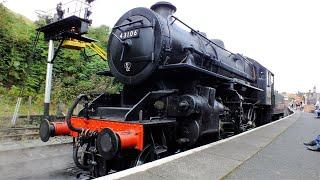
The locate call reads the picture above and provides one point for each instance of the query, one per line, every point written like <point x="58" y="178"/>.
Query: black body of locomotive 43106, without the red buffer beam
<point x="182" y="76"/>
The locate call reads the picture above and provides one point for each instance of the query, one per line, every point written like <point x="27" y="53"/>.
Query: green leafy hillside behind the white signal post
<point x="23" y="65"/>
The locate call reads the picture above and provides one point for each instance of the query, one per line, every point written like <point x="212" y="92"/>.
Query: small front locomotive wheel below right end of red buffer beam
<point x="148" y="154"/>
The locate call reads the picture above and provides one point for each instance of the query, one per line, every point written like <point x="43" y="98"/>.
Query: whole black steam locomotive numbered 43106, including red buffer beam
<point x="180" y="90"/>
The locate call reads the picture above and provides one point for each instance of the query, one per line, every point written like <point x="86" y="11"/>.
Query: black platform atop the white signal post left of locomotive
<point x="63" y="28"/>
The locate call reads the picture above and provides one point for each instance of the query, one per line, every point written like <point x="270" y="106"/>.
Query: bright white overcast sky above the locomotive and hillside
<point x="283" y="35"/>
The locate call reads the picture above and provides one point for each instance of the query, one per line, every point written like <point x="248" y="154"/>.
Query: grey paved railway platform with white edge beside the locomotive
<point x="272" y="151"/>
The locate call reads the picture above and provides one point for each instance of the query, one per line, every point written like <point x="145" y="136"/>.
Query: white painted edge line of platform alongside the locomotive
<point x="159" y="162"/>
